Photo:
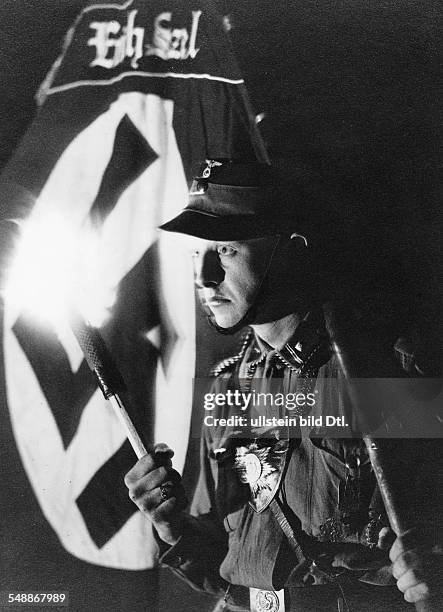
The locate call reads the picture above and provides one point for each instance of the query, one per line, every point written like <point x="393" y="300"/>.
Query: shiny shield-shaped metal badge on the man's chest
<point x="261" y="467"/>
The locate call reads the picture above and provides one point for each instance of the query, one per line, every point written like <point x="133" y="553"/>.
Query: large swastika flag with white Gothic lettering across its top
<point x="141" y="92"/>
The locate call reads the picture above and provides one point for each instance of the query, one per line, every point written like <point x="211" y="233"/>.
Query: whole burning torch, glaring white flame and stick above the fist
<point x="59" y="271"/>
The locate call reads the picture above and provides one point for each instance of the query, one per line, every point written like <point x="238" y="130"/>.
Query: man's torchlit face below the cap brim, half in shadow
<point x="228" y="275"/>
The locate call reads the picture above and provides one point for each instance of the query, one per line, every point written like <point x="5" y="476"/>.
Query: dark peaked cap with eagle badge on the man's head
<point x="232" y="200"/>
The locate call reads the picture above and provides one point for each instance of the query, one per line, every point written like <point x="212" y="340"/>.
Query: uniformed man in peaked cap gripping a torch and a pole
<point x="286" y="515"/>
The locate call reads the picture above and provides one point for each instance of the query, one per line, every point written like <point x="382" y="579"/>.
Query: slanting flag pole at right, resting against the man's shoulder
<point x="350" y="361"/>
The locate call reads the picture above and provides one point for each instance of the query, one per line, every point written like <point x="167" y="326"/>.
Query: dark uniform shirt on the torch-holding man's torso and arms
<point x="327" y="487"/>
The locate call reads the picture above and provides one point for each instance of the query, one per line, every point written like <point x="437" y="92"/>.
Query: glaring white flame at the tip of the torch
<point x="57" y="268"/>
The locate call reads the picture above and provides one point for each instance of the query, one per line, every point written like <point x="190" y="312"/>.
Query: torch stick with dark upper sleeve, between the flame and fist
<point x="109" y="378"/>
